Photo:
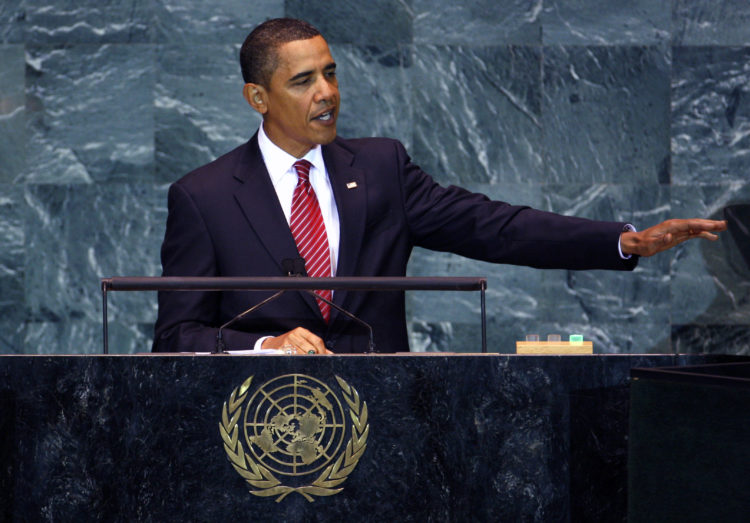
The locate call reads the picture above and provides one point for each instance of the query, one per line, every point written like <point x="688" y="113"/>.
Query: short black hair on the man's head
<point x="259" y="55"/>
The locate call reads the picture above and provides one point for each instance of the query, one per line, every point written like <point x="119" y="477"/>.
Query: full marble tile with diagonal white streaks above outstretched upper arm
<point x="477" y="113"/>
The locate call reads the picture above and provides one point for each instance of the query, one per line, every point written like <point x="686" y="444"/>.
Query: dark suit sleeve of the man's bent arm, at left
<point x="188" y="321"/>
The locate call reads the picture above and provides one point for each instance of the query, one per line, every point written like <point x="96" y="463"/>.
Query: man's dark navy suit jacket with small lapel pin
<point x="225" y="220"/>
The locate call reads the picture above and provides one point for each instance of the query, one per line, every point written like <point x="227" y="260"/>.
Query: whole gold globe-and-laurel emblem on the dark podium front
<point x="295" y="429"/>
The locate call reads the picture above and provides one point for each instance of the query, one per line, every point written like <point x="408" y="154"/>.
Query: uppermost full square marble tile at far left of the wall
<point x="90" y="113"/>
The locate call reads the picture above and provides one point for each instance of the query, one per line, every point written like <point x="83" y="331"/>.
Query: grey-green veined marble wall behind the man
<point x="633" y="111"/>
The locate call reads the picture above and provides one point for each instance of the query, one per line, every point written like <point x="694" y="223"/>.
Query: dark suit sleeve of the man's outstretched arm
<point x="470" y="224"/>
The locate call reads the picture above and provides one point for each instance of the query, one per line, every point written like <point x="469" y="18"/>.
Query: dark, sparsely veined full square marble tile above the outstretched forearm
<point x="606" y="114"/>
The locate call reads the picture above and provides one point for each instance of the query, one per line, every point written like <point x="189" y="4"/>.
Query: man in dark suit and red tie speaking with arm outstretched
<point x="368" y="205"/>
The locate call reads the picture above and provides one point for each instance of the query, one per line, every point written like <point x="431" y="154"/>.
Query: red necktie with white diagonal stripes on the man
<point x="309" y="232"/>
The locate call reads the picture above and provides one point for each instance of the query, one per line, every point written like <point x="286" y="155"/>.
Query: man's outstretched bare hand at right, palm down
<point x="668" y="234"/>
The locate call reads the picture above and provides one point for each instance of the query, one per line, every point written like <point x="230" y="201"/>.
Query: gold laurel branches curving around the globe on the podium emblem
<point x="263" y="479"/>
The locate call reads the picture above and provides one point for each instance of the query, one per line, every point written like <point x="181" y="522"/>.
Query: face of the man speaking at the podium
<point x="301" y="103"/>
